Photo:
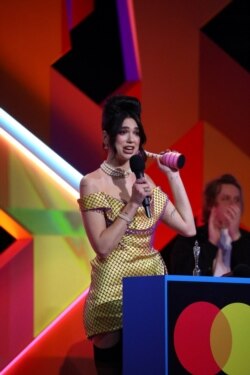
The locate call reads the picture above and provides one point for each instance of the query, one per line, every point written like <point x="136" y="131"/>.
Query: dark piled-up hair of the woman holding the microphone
<point x="116" y="109"/>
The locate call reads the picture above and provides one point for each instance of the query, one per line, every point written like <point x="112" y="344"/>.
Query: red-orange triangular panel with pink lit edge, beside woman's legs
<point x="62" y="348"/>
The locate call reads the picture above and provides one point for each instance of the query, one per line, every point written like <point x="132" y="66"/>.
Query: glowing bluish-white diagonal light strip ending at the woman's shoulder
<point x="42" y="152"/>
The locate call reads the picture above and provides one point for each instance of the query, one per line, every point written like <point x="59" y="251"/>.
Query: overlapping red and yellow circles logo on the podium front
<point x="208" y="339"/>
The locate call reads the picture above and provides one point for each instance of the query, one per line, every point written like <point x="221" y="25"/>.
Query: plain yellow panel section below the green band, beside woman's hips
<point x="62" y="272"/>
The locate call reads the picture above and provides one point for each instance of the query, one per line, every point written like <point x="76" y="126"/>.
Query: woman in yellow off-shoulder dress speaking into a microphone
<point x="118" y="229"/>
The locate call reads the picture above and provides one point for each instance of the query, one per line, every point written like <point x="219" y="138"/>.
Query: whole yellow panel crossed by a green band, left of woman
<point x="50" y="213"/>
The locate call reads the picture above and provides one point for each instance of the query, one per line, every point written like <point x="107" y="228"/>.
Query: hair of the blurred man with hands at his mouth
<point x="212" y="190"/>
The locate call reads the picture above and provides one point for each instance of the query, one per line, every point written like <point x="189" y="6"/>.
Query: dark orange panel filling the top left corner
<point x="30" y="38"/>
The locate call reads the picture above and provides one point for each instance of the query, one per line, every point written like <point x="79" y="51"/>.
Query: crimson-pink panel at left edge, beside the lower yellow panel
<point x="16" y="296"/>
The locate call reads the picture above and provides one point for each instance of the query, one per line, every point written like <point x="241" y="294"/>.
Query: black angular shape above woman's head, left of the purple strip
<point x="95" y="64"/>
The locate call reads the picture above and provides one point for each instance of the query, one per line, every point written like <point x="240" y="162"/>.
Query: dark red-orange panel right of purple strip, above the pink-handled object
<point x="168" y="39"/>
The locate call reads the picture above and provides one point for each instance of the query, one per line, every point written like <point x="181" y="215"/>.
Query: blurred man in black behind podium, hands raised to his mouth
<point x="224" y="246"/>
